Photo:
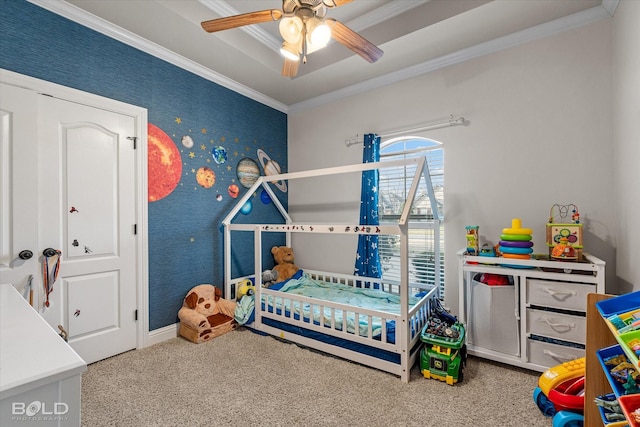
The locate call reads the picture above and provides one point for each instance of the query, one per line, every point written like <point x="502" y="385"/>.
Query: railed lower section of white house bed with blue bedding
<point x="311" y="309"/>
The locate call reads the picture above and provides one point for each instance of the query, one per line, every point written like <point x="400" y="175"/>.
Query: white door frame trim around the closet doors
<point x="141" y="184"/>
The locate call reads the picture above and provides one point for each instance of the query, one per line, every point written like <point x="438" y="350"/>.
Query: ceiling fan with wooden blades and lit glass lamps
<point x="304" y="28"/>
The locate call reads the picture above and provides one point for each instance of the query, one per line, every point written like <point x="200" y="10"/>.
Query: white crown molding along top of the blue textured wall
<point x="95" y="23"/>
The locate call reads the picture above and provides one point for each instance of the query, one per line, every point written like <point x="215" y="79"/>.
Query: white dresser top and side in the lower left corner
<point x="40" y="374"/>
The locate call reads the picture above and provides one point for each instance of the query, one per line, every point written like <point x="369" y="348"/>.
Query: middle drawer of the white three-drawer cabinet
<point x="557" y="325"/>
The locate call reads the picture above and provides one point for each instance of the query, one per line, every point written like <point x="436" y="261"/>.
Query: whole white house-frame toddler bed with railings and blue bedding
<point x="385" y="335"/>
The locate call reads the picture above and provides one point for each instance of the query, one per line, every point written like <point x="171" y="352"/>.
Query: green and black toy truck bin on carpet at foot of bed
<point x="443" y="356"/>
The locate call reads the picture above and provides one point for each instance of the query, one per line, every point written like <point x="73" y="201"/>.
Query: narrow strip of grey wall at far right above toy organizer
<point x="626" y="126"/>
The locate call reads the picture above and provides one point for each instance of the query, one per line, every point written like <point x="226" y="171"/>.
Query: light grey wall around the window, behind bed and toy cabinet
<point x="540" y="133"/>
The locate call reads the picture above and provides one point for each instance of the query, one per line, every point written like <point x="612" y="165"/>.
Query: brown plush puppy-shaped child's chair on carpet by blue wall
<point x="205" y="314"/>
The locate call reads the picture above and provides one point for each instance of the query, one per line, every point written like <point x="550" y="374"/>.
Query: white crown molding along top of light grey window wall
<point x="537" y="32"/>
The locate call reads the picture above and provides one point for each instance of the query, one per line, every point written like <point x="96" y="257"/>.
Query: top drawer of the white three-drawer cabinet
<point x="562" y="295"/>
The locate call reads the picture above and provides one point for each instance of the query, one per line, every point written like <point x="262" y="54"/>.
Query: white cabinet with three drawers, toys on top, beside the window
<point x="538" y="319"/>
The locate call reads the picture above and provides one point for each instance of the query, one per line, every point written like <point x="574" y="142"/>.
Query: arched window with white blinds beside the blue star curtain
<point x="393" y="189"/>
